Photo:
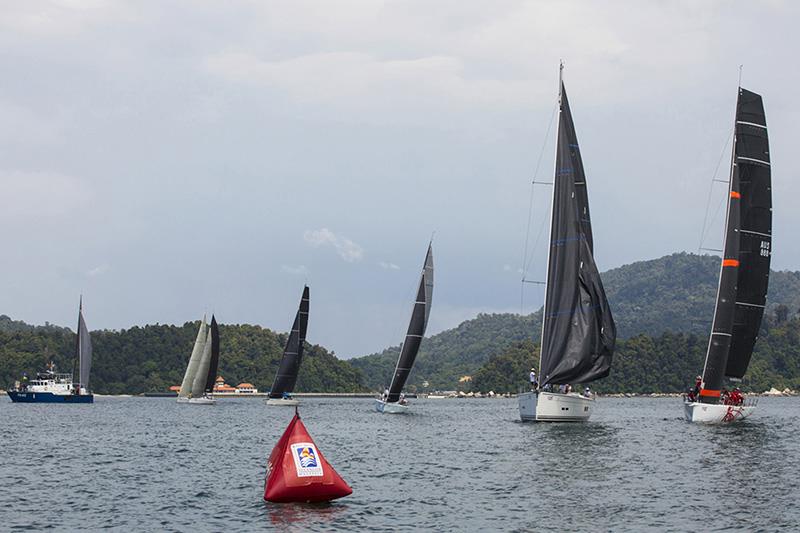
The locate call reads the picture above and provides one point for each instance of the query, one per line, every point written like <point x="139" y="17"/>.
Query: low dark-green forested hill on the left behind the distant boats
<point x="152" y="358"/>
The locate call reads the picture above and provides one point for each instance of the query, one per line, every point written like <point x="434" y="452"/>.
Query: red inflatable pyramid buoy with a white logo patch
<point x="298" y="472"/>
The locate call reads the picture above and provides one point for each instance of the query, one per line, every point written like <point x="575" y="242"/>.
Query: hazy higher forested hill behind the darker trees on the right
<point x="674" y="293"/>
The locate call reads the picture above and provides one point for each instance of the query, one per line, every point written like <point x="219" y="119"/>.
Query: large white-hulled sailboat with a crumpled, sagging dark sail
<point x="578" y="331"/>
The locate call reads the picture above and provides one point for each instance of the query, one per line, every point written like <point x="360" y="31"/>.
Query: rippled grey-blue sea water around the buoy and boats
<point x="454" y="465"/>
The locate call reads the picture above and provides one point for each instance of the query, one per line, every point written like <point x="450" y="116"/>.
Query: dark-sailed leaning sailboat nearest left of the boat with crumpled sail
<point x="392" y="400"/>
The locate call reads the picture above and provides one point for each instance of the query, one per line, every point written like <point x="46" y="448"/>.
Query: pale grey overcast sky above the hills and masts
<point x="171" y="158"/>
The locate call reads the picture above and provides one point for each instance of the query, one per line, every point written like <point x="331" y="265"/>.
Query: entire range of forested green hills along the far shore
<point x="662" y="308"/>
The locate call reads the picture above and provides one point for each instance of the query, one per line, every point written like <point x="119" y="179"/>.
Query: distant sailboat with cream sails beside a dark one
<point x="198" y="381"/>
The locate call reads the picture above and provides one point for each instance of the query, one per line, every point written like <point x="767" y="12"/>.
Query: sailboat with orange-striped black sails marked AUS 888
<point x="744" y="273"/>
